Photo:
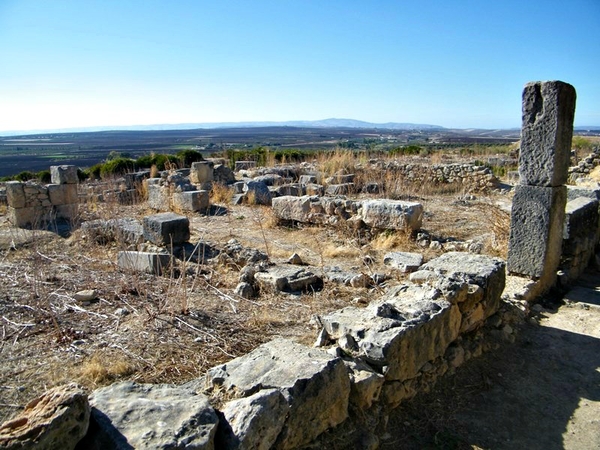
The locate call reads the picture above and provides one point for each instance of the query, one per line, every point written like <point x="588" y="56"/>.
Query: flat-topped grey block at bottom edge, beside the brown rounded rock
<point x="147" y="416"/>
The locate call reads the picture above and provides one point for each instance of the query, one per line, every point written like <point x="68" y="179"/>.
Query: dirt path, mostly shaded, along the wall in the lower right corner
<point x="542" y="392"/>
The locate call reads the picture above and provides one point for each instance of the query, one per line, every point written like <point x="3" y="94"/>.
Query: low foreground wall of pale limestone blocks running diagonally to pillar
<point x="283" y="394"/>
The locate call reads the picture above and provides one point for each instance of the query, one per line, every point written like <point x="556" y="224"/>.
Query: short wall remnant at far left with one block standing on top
<point x="34" y="205"/>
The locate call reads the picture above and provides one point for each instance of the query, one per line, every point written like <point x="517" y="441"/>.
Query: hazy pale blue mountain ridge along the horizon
<point x="326" y="123"/>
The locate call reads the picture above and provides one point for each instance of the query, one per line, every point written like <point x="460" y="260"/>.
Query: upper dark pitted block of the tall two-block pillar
<point x="547" y="130"/>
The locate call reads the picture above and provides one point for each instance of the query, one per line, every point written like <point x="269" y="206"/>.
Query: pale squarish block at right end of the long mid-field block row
<point x="392" y="214"/>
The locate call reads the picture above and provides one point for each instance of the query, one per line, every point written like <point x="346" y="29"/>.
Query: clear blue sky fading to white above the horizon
<point x="453" y="63"/>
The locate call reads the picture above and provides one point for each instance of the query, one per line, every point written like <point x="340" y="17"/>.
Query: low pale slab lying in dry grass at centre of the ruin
<point x="289" y="279"/>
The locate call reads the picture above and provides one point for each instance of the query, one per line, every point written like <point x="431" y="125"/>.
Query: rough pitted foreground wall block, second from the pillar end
<point x="408" y="327"/>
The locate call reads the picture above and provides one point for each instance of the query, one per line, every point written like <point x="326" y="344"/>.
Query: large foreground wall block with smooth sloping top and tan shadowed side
<point x="314" y="384"/>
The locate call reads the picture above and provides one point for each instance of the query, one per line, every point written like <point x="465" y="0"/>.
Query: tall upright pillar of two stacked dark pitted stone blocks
<point x="538" y="209"/>
